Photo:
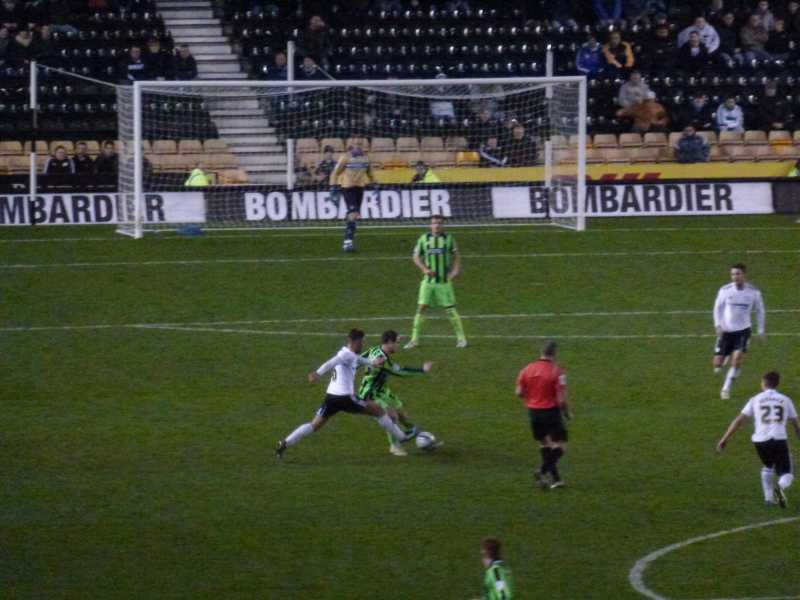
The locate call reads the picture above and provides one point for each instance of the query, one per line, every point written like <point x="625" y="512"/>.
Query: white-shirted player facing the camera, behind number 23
<point x="735" y="301"/>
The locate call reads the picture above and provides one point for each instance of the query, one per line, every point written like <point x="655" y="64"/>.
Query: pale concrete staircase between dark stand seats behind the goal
<point x="240" y="119"/>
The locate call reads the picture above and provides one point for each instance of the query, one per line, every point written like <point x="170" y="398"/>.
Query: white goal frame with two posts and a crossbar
<point x="137" y="231"/>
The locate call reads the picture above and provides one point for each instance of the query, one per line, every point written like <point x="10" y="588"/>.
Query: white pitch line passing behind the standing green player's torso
<point x="310" y="259"/>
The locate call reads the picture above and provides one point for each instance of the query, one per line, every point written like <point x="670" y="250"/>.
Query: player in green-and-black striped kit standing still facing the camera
<point x="436" y="255"/>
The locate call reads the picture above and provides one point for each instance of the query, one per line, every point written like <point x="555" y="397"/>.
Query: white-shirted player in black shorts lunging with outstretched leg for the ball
<point x="340" y="394"/>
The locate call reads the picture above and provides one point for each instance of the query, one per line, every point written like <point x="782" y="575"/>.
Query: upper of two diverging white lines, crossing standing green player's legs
<point x="542" y="315"/>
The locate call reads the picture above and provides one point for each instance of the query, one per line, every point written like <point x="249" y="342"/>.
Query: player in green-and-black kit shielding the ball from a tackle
<point x="373" y="384"/>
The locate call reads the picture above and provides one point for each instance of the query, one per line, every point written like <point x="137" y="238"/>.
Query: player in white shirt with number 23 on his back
<point x="770" y="410"/>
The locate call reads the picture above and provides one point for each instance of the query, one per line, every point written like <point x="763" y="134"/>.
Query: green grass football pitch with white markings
<point x="145" y="384"/>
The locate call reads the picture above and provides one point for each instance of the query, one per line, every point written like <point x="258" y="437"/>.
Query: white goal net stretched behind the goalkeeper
<point x="257" y="154"/>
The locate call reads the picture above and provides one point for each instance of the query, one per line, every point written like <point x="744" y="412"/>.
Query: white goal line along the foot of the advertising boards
<point x="377" y="232"/>
